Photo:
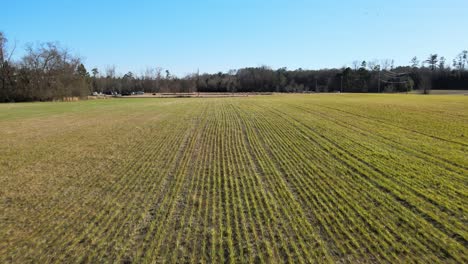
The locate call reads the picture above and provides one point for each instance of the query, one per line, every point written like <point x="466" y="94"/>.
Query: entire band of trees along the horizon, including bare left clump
<point x="49" y="72"/>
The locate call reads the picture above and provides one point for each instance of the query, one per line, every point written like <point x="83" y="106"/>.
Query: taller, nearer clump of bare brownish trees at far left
<point x="46" y="72"/>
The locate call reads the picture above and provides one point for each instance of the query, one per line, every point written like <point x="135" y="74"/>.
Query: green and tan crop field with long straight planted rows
<point x="299" y="178"/>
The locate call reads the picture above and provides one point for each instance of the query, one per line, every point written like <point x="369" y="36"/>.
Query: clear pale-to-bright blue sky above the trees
<point x="212" y="36"/>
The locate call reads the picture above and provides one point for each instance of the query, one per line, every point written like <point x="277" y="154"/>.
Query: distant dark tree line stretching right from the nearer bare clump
<point x="374" y="77"/>
